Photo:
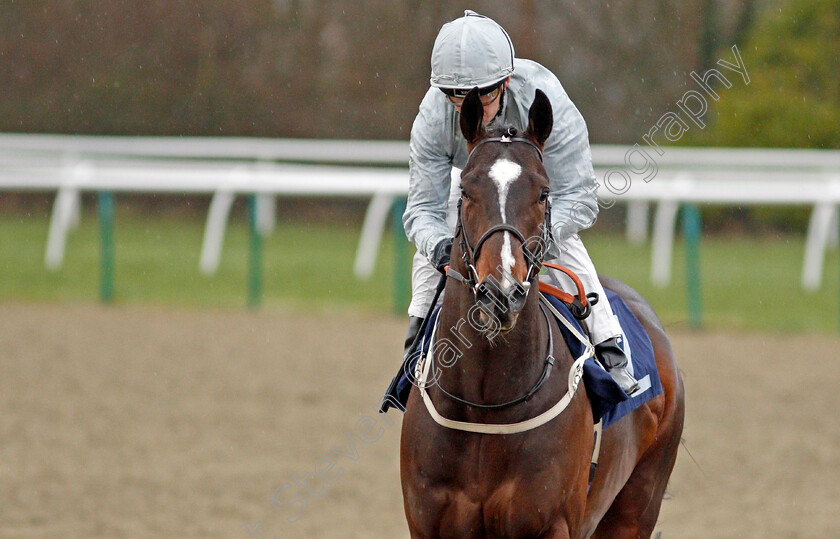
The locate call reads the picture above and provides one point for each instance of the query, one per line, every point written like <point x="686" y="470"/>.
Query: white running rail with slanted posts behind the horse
<point x="226" y="167"/>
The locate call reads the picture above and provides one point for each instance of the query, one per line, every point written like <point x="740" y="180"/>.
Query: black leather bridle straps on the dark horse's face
<point x="470" y="254"/>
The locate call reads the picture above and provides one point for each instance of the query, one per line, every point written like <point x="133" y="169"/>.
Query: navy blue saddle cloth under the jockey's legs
<point x="608" y="401"/>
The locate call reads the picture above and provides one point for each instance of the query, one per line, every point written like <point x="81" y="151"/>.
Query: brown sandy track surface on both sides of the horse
<point x="152" y="422"/>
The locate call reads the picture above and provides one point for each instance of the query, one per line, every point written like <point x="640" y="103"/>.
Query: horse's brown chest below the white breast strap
<point x="522" y="485"/>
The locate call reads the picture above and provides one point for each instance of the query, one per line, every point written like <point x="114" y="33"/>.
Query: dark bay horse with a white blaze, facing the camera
<point x="533" y="483"/>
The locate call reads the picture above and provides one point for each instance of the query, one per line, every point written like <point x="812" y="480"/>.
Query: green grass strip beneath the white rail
<point x="747" y="283"/>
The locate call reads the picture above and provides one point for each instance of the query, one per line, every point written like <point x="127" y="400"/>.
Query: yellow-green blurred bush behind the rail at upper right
<point x="792" y="55"/>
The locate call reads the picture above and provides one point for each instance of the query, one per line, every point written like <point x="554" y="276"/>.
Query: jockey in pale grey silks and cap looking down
<point x="474" y="51"/>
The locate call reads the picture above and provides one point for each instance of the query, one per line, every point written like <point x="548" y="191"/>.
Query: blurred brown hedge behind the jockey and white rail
<point x="313" y="68"/>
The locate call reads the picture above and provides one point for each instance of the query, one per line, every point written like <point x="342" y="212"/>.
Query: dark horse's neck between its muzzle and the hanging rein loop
<point x="506" y="365"/>
